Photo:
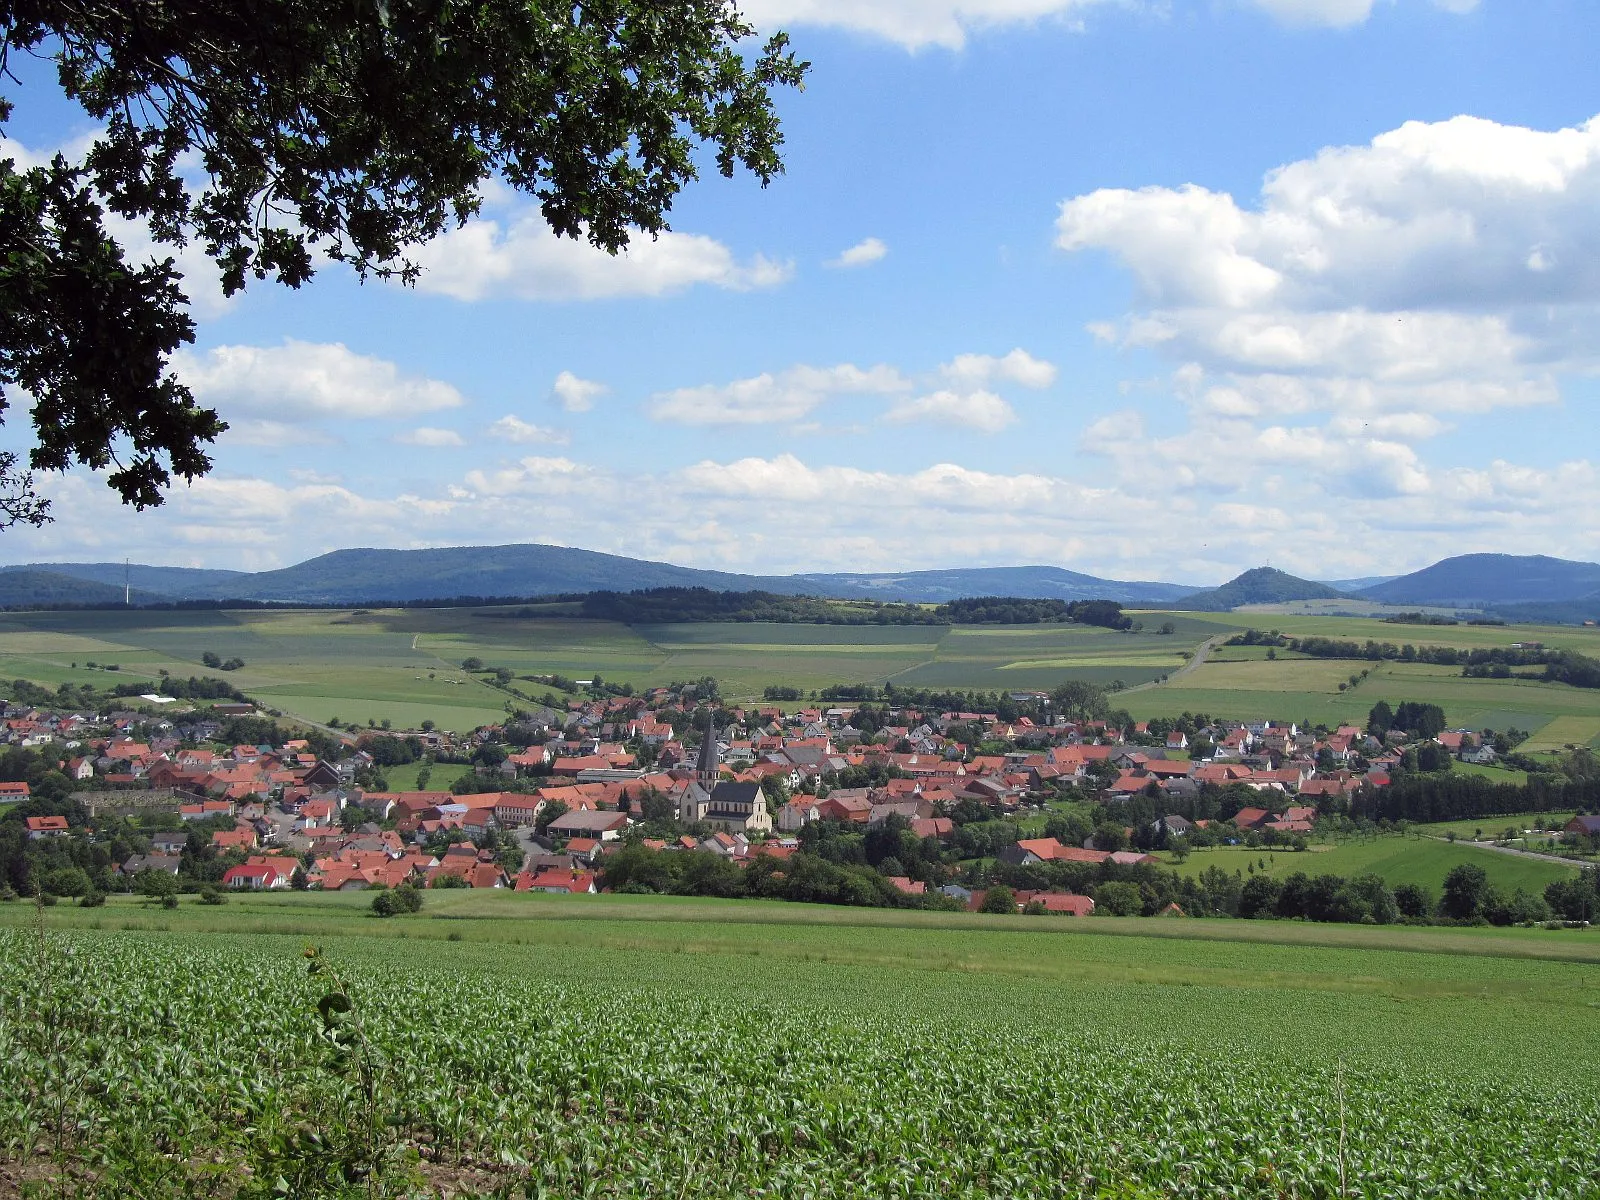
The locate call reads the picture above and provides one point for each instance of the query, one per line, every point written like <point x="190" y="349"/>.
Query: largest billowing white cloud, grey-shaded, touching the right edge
<point x="1447" y="266"/>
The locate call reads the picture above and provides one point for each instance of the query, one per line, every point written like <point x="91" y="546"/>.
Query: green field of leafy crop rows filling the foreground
<point x="158" y="1065"/>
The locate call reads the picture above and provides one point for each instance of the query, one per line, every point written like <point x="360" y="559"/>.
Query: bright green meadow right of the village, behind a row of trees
<point x="1396" y="858"/>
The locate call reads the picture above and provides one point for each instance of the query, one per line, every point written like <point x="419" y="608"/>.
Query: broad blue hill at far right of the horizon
<point x="1492" y="582"/>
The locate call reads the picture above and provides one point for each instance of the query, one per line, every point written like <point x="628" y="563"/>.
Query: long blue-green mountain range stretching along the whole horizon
<point x="1516" y="586"/>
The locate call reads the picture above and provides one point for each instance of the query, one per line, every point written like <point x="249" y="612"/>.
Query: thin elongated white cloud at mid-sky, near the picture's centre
<point x="774" y="399"/>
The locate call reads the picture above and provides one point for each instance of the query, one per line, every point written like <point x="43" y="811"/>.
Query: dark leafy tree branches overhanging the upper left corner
<point x="282" y="132"/>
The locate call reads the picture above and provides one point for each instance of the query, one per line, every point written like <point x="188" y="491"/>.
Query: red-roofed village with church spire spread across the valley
<point x="554" y="798"/>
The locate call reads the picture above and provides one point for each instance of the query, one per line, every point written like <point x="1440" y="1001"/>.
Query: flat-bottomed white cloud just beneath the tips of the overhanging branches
<point x="513" y="254"/>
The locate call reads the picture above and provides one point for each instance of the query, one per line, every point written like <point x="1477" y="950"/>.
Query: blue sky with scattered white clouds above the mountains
<point x="1148" y="290"/>
